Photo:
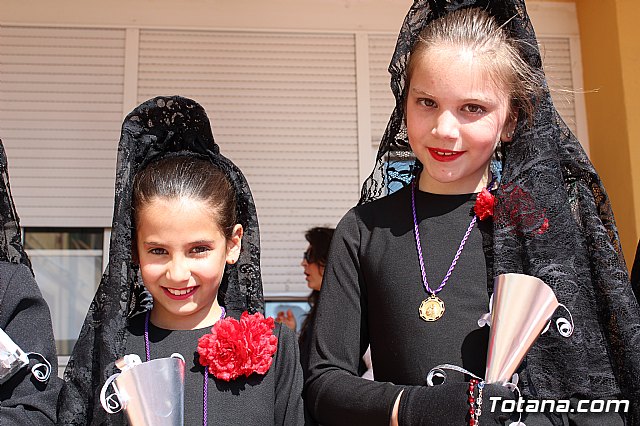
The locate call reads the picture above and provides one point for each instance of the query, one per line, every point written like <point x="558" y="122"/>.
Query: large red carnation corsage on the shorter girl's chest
<point x="239" y="348"/>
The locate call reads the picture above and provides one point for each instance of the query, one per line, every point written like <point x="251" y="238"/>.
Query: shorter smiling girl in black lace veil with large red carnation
<point x="185" y="228"/>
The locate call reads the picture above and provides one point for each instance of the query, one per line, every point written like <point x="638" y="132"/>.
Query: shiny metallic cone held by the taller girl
<point x="522" y="307"/>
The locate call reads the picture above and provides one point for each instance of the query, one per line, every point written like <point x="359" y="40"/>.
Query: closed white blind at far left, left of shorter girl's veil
<point x="60" y="114"/>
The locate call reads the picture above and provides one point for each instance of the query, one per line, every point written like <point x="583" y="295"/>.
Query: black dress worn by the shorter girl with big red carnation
<point x="272" y="399"/>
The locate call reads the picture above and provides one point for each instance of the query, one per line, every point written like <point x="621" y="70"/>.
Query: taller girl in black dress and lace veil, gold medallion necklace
<point x="411" y="273"/>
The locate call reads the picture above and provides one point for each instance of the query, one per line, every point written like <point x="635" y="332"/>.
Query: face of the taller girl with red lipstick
<point x="455" y="114"/>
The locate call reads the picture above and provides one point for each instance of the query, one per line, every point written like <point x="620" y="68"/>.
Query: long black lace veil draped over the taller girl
<point x="552" y="220"/>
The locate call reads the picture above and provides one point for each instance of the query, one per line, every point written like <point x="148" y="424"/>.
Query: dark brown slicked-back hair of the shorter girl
<point x="191" y="178"/>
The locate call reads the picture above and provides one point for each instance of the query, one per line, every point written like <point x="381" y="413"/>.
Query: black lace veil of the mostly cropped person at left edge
<point x="11" y="249"/>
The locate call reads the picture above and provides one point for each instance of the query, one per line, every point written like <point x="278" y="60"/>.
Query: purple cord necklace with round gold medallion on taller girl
<point x="432" y="308"/>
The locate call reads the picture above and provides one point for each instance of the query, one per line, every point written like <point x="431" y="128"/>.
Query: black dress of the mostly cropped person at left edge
<point x="25" y="317"/>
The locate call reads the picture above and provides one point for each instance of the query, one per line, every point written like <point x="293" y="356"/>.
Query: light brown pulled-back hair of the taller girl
<point x="475" y="29"/>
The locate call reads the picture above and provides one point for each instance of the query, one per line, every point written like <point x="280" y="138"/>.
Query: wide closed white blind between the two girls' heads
<point x="283" y="108"/>
